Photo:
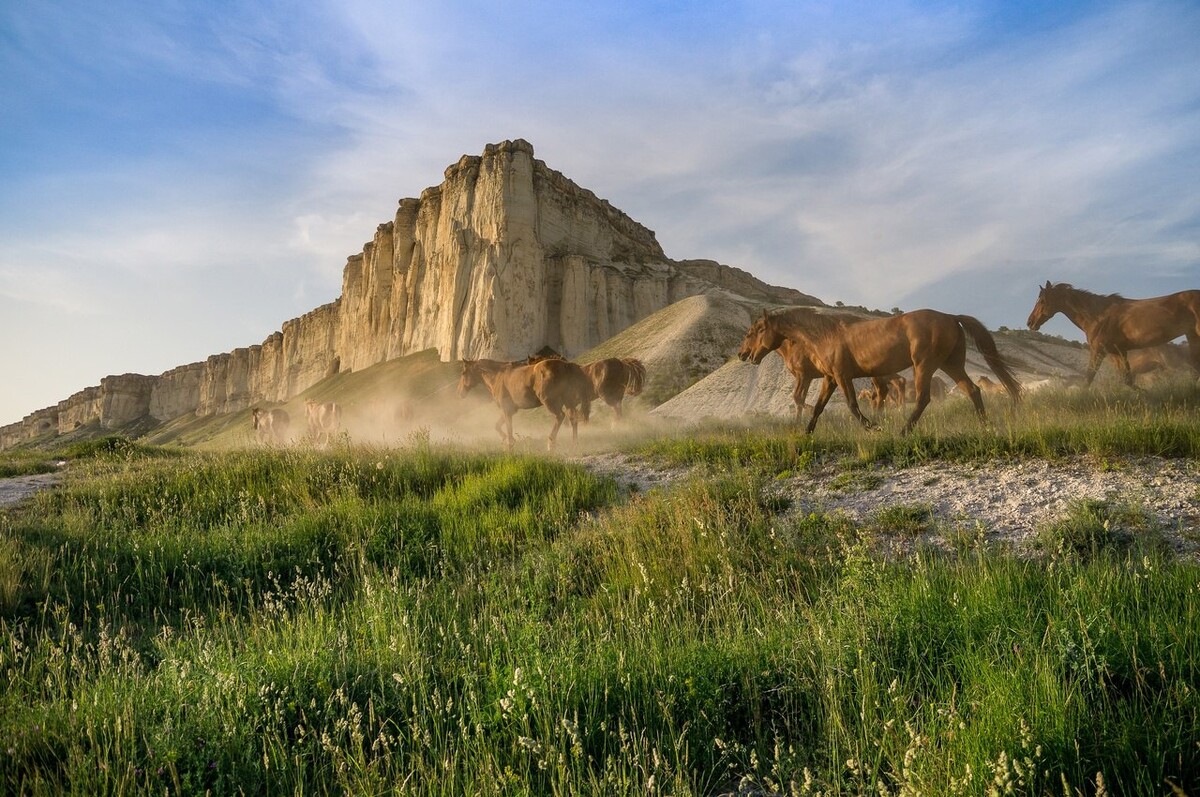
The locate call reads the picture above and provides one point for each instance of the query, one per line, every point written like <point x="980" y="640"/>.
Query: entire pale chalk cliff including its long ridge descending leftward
<point x="505" y="257"/>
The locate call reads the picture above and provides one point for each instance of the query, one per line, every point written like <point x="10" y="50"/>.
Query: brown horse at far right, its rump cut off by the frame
<point x="1115" y="326"/>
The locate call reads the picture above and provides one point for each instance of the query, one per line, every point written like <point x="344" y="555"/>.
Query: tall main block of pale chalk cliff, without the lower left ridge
<point x="508" y="256"/>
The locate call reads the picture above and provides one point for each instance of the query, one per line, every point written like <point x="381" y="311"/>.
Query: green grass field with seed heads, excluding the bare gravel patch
<point x="429" y="621"/>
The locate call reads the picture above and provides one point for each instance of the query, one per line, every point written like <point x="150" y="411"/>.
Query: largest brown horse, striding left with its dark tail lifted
<point x="926" y="340"/>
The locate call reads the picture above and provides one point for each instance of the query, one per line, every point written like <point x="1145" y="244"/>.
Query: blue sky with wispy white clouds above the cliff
<point x="177" y="179"/>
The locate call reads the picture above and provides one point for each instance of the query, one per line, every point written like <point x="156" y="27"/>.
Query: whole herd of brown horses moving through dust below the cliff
<point x="839" y="349"/>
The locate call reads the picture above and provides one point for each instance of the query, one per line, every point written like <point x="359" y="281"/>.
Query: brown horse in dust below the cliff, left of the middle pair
<point x="556" y="385"/>
